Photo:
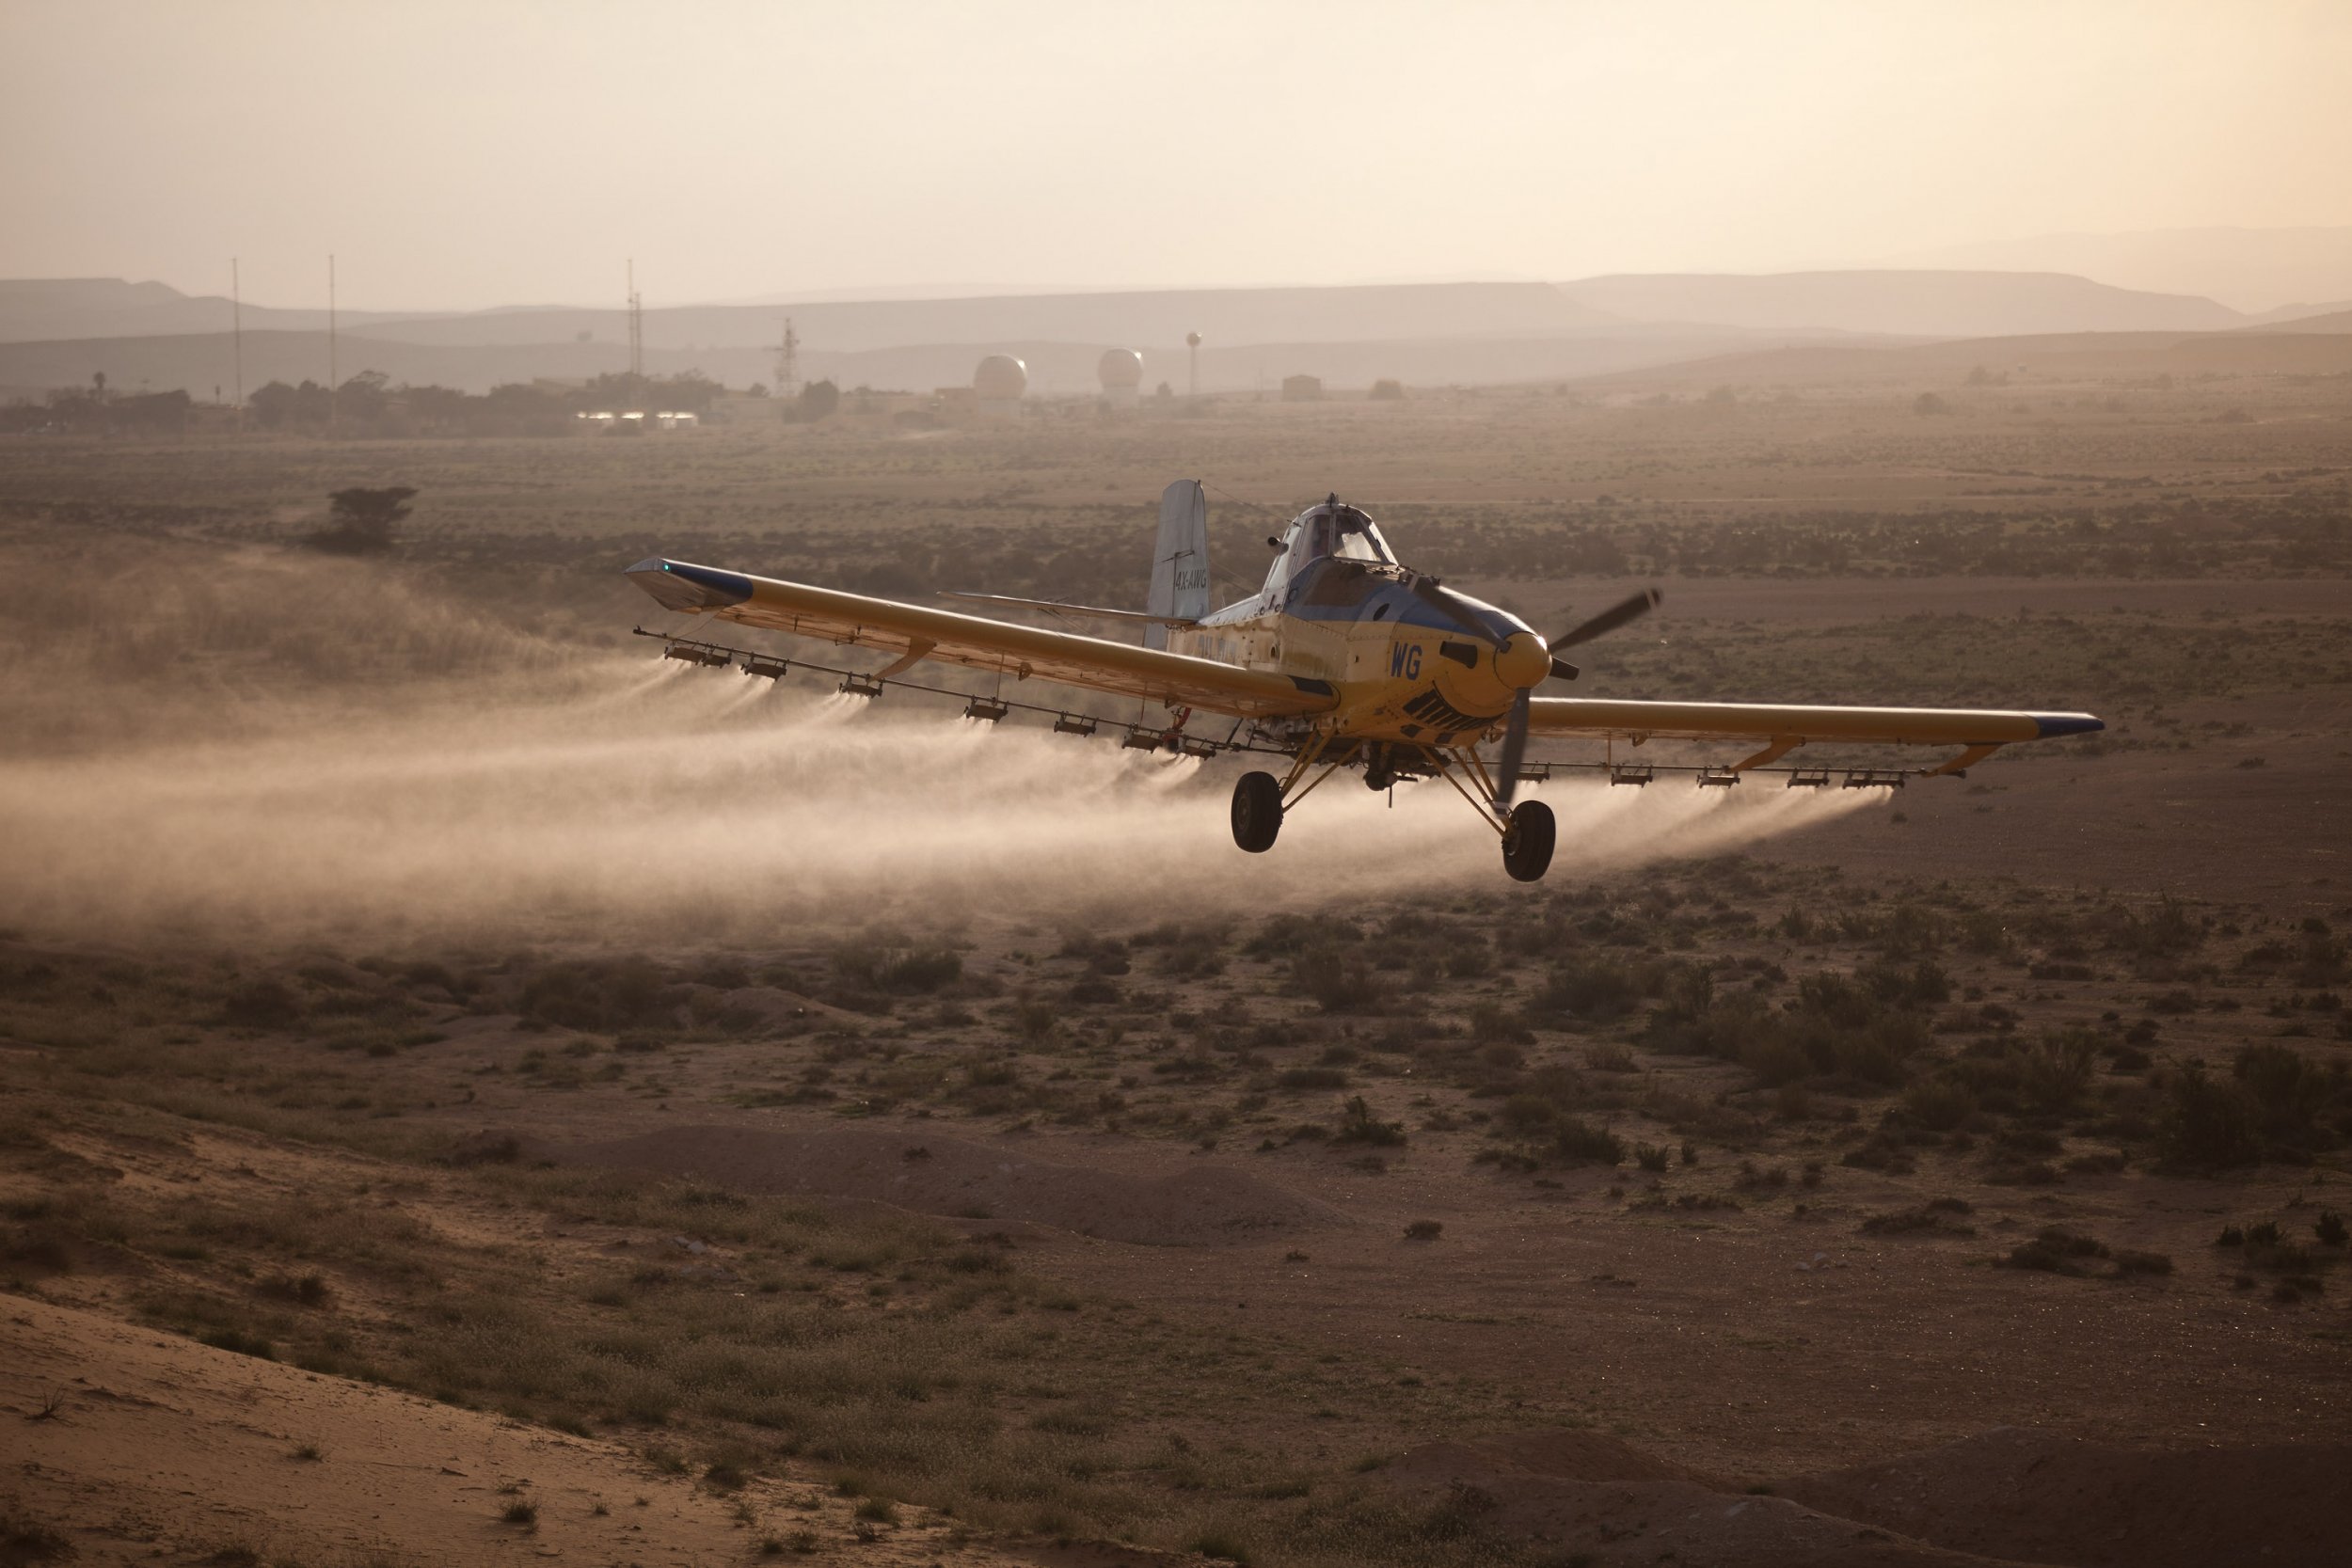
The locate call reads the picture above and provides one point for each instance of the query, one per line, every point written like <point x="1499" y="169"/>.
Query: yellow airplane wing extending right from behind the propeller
<point x="1789" y="725"/>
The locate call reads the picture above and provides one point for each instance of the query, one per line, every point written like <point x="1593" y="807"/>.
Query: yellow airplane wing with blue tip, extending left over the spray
<point x="1024" y="652"/>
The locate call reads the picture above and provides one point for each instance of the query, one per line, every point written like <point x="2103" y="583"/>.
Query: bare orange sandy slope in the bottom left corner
<point x="173" y="1452"/>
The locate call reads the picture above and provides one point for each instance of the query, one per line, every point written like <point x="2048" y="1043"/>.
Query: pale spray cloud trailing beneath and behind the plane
<point x="697" y="805"/>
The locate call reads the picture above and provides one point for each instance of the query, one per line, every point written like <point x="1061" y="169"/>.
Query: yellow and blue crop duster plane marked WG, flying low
<point x="1344" y="659"/>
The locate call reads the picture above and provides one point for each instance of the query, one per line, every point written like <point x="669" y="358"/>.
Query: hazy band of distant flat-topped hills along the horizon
<point x="1471" y="333"/>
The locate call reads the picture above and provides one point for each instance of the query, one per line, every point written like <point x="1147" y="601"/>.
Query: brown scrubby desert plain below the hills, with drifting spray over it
<point x="479" y="1092"/>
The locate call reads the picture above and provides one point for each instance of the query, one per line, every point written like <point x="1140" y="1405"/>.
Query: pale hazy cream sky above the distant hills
<point x="512" y="152"/>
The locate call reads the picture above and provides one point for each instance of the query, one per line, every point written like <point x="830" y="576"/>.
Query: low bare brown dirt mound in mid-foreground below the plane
<point x="951" y="1177"/>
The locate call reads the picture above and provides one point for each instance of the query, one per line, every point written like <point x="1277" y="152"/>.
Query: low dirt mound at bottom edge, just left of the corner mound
<point x="1617" y="1506"/>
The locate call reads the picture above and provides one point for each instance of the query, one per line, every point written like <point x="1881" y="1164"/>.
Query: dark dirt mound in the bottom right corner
<point x="2059" y="1501"/>
